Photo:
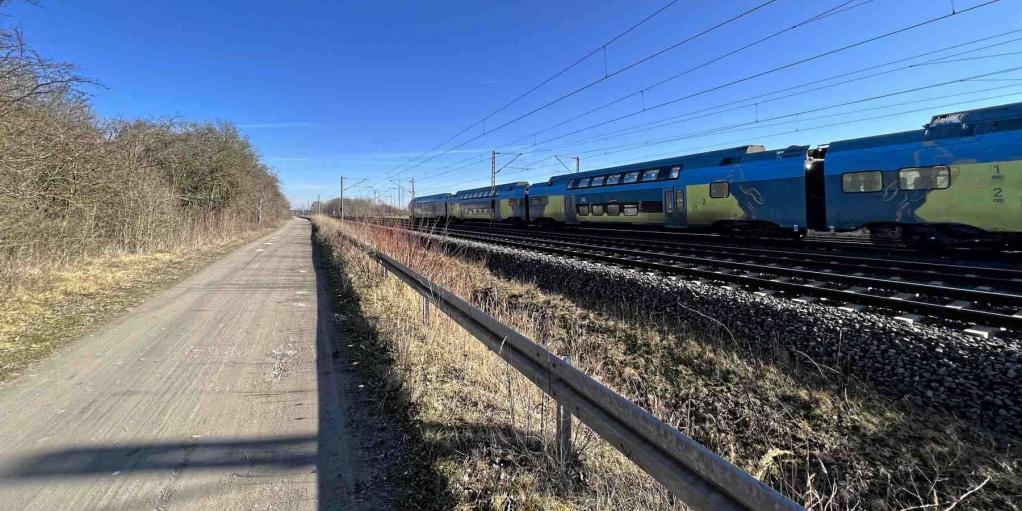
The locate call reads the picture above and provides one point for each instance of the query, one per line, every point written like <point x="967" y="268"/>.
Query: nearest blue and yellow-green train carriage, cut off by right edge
<point x="958" y="182"/>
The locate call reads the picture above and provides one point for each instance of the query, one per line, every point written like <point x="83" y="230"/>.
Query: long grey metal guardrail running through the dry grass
<point x="693" y="474"/>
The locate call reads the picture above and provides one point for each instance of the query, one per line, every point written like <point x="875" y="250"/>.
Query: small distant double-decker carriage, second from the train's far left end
<point x="505" y="203"/>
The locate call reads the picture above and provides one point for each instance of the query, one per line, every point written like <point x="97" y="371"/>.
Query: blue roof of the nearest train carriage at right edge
<point x="959" y="124"/>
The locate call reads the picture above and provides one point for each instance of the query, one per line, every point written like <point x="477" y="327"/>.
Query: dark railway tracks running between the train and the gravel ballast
<point x="983" y="300"/>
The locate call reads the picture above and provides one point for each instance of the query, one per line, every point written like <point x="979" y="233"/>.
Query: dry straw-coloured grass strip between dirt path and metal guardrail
<point x="484" y="435"/>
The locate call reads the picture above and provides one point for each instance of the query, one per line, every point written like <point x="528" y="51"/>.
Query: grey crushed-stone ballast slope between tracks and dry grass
<point x="928" y="365"/>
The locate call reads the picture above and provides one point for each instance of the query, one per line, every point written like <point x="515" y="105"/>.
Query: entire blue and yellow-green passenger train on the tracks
<point x="957" y="182"/>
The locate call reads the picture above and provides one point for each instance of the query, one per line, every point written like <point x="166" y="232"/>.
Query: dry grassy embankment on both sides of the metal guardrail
<point x="826" y="441"/>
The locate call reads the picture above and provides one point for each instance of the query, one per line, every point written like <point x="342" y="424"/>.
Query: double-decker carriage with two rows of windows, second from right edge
<point x="741" y="189"/>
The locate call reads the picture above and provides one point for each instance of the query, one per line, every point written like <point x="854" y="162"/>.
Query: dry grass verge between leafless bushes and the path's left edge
<point x="53" y="306"/>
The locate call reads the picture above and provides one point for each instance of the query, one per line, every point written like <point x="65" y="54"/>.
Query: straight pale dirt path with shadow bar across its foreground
<point x="218" y="394"/>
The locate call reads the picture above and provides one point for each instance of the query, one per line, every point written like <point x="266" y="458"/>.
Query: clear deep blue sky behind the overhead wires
<point x="326" y="89"/>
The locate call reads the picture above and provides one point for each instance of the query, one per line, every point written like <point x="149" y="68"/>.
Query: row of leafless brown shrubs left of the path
<point x="73" y="187"/>
